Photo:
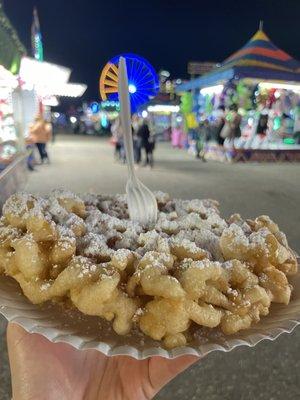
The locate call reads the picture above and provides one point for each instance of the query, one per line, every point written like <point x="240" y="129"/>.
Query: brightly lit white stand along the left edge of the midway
<point x="26" y="86"/>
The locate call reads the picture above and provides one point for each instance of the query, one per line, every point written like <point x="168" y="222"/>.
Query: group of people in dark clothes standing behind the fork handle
<point x="143" y="141"/>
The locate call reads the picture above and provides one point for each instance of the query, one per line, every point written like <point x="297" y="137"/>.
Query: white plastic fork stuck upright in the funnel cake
<point x="142" y="204"/>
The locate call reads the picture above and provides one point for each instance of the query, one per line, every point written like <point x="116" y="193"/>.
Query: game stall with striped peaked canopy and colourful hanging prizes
<point x="262" y="83"/>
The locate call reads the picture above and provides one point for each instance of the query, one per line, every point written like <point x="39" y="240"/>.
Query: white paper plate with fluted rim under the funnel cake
<point x="83" y="332"/>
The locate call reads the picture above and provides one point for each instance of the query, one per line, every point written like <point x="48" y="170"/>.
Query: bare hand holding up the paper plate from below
<point x="42" y="370"/>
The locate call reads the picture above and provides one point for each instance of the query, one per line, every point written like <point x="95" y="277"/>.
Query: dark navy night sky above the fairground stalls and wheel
<point x="85" y="34"/>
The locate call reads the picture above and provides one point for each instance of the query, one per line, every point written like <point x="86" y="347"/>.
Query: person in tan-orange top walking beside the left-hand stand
<point x="41" y="132"/>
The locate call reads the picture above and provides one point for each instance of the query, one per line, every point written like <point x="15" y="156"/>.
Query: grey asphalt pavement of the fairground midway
<point x="271" y="370"/>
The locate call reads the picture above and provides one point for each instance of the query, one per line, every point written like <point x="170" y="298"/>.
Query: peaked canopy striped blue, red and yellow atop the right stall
<point x="259" y="60"/>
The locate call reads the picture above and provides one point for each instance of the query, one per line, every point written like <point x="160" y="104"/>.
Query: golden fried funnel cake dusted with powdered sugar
<point x="193" y="268"/>
